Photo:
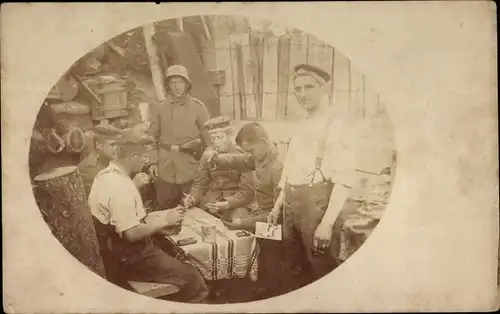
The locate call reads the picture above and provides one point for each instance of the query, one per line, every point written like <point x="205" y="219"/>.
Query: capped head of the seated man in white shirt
<point x="132" y="149"/>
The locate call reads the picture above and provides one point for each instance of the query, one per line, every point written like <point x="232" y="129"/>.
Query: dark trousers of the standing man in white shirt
<point x="305" y="206"/>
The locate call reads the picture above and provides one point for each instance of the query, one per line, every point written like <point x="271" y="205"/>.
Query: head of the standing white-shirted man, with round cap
<point x="309" y="85"/>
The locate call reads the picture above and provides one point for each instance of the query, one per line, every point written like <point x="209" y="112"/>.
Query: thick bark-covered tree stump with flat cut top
<point x="61" y="198"/>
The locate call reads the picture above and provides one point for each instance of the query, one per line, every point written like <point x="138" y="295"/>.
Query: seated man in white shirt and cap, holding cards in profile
<point x="119" y="214"/>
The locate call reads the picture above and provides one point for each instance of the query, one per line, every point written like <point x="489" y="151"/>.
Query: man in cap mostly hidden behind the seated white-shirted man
<point x="105" y="136"/>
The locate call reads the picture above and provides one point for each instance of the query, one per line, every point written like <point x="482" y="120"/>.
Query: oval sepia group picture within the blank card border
<point x="156" y="154"/>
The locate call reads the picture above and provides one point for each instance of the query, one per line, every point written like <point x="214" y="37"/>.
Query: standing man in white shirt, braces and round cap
<point x="317" y="175"/>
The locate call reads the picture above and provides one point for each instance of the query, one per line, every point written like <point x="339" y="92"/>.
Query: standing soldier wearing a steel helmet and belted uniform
<point x="178" y="128"/>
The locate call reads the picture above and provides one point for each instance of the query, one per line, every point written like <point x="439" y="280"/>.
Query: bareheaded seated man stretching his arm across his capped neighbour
<point x="262" y="156"/>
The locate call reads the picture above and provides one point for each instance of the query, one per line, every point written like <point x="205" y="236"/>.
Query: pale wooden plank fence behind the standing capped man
<point x="258" y="71"/>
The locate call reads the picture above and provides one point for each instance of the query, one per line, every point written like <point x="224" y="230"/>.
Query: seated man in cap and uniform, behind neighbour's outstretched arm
<point x="228" y="192"/>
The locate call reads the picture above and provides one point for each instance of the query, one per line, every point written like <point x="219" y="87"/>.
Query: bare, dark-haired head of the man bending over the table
<point x="254" y="140"/>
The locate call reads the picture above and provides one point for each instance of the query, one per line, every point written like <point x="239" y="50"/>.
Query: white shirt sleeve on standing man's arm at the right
<point x="341" y="158"/>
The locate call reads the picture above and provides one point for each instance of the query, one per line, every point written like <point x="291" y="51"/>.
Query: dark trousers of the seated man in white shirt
<point x="151" y="264"/>
